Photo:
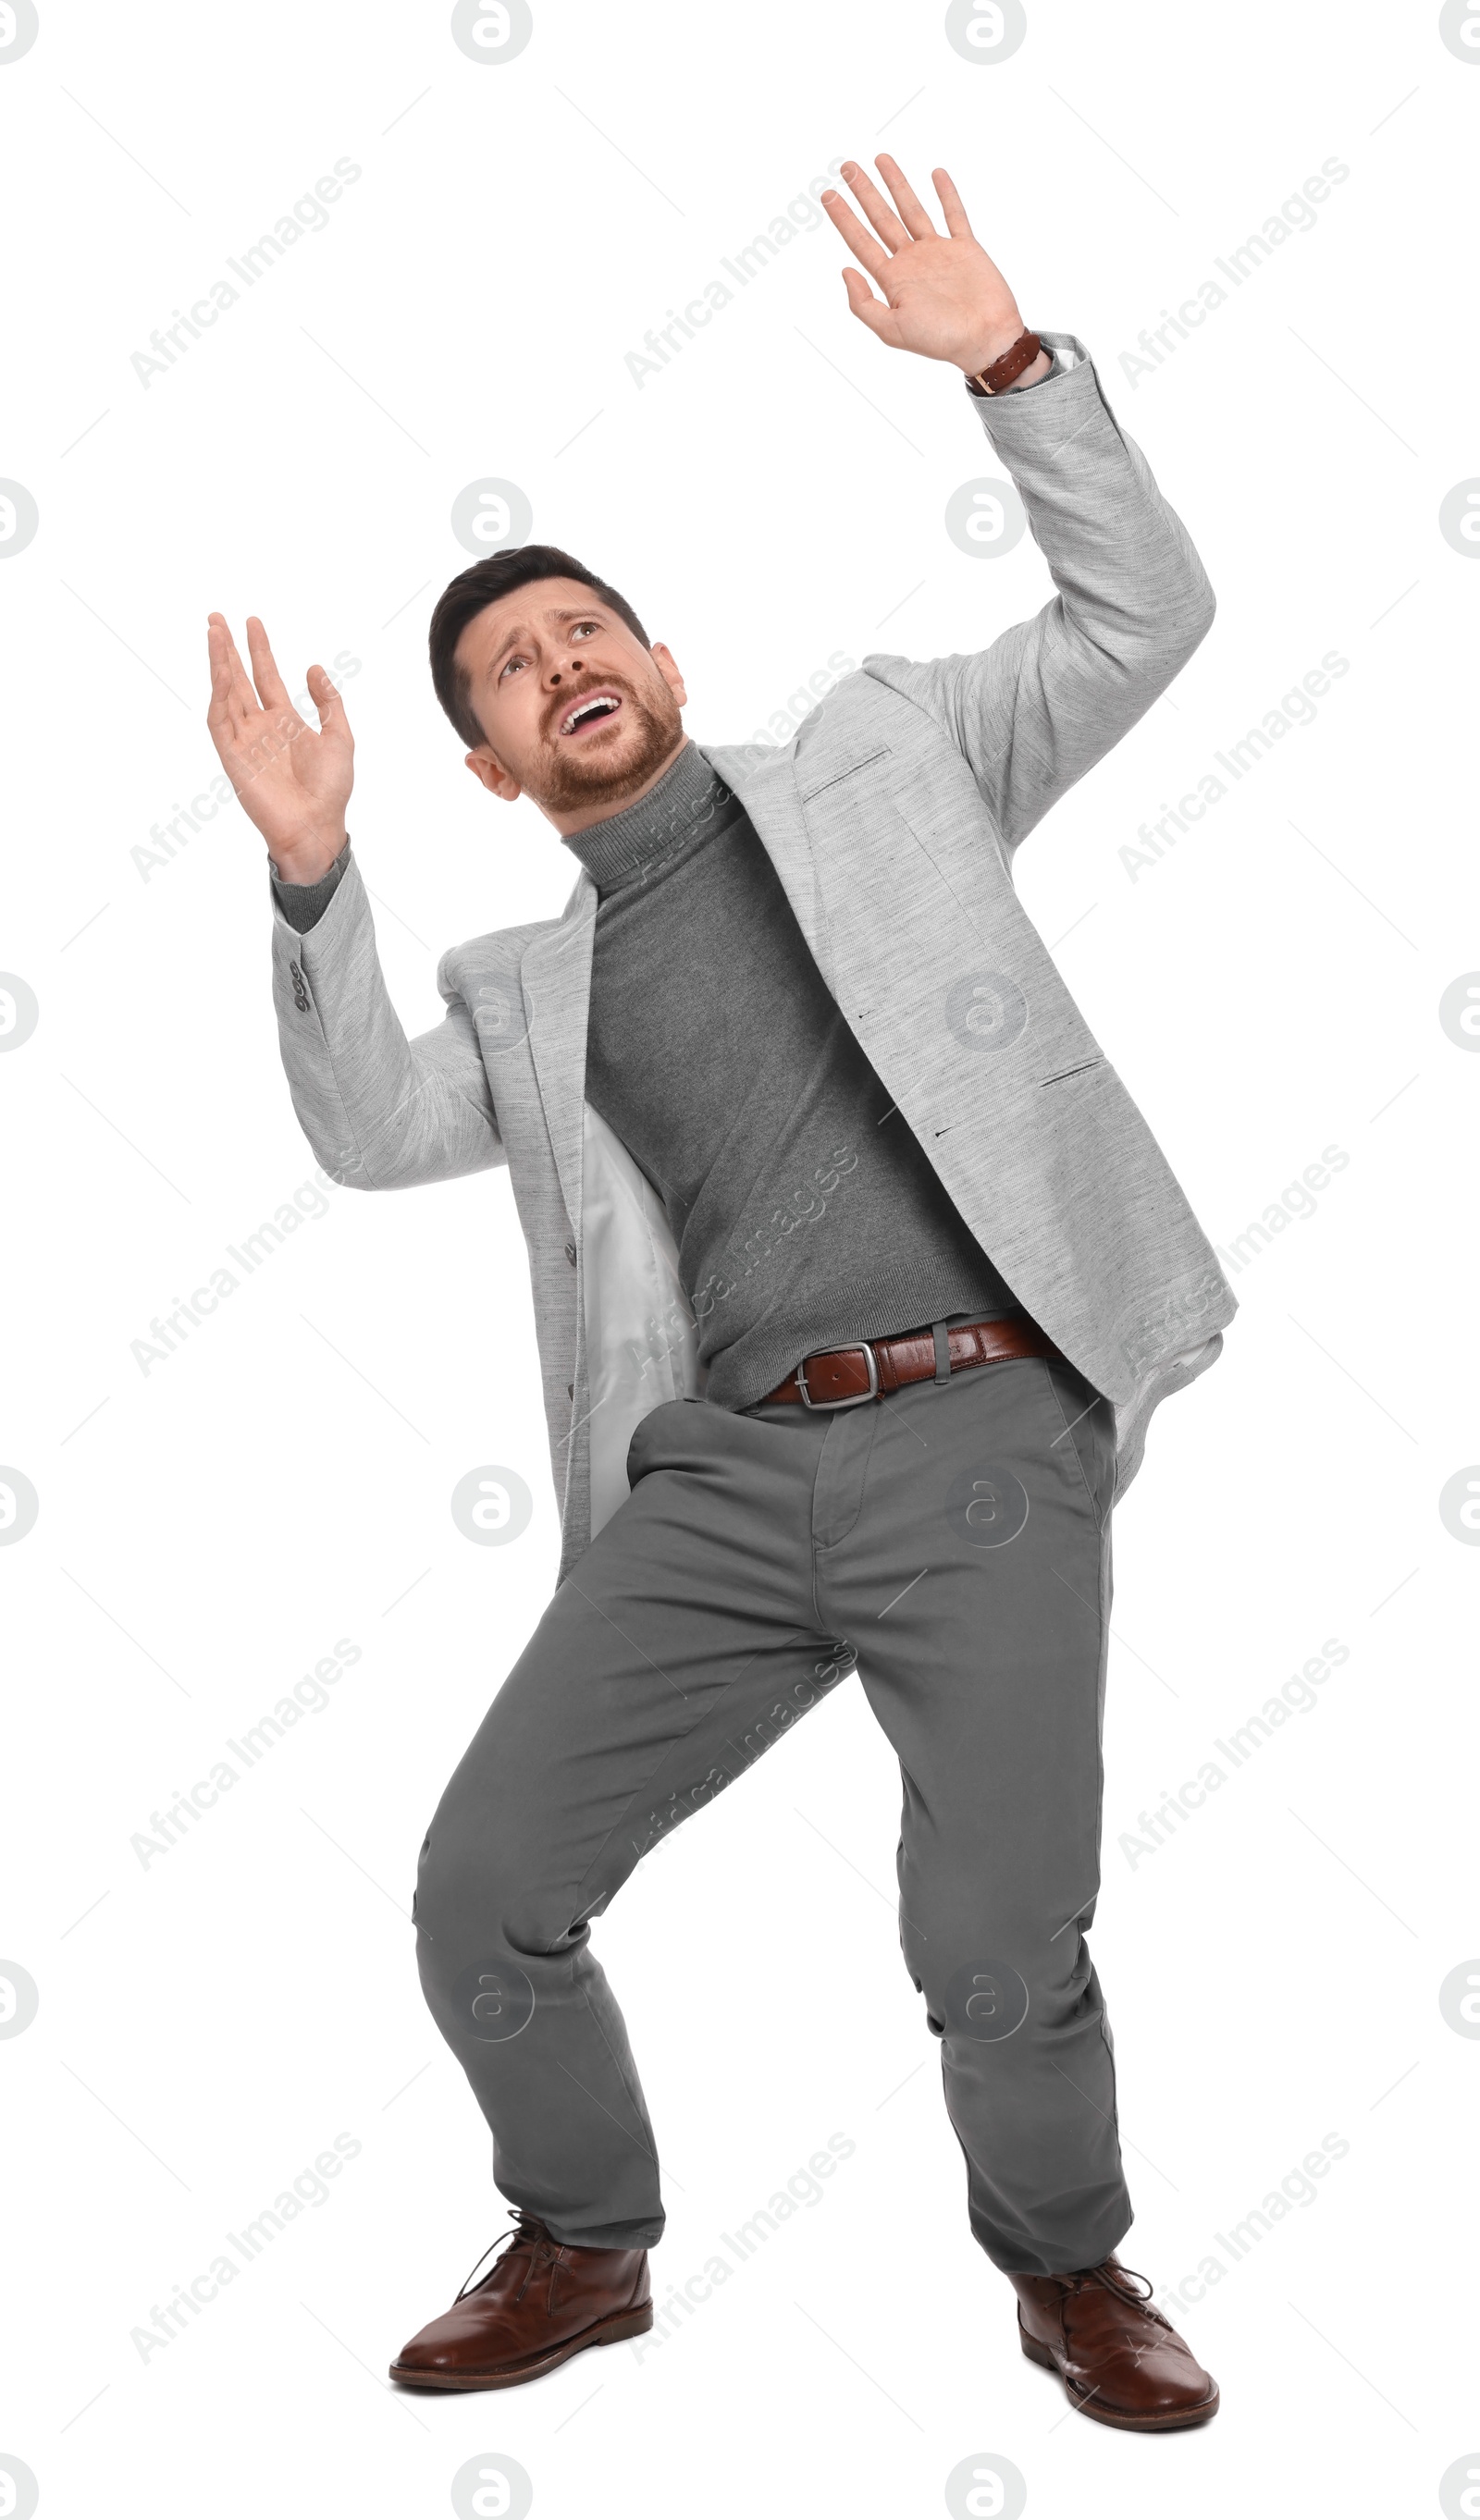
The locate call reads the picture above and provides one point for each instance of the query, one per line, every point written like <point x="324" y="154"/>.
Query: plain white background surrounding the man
<point x="208" y="1531"/>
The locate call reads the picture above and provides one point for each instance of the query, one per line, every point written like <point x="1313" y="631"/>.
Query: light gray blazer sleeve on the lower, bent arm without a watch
<point x="379" y="1110"/>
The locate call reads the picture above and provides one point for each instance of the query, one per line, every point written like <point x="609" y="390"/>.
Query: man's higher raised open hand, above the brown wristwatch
<point x="944" y="296"/>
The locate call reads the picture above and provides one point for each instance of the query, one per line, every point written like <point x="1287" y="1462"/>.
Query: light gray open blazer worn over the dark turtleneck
<point x="891" y="818"/>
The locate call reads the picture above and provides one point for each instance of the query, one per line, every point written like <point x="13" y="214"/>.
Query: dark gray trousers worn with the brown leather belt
<point x="949" y="1546"/>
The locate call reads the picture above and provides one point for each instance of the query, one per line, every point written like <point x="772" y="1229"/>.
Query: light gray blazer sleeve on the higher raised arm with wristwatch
<point x="1131" y="604"/>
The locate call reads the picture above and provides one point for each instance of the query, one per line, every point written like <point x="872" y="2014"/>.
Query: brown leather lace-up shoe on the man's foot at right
<point x="1118" y="2357"/>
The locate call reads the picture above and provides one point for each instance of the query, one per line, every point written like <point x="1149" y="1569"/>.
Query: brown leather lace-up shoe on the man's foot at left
<point x="538" y="2305"/>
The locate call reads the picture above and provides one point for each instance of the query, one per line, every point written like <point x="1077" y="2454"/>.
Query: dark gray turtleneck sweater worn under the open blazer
<point x="803" y="1203"/>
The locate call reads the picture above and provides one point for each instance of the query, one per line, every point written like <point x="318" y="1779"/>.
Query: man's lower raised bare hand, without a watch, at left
<point x="291" y="780"/>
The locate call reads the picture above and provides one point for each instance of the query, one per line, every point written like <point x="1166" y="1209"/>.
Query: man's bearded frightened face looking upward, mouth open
<point x="576" y="712"/>
